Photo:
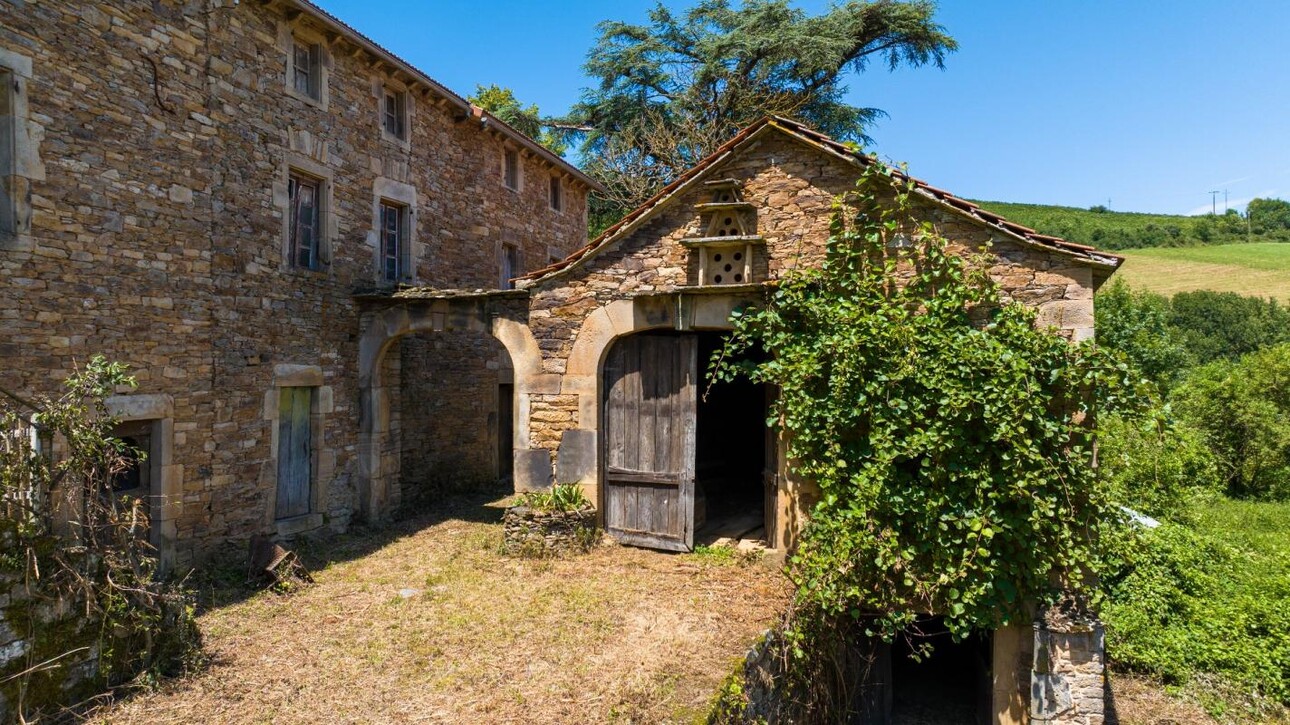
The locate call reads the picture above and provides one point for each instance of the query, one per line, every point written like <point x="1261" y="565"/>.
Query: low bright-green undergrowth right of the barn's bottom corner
<point x="1207" y="601"/>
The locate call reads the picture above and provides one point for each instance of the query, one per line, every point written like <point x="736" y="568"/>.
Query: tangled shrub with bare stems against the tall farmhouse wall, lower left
<point x="78" y="553"/>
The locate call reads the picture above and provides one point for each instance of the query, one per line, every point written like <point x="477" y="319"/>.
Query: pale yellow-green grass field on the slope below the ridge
<point x="1260" y="270"/>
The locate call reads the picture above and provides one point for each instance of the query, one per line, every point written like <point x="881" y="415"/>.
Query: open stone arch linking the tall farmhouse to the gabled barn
<point x="381" y="331"/>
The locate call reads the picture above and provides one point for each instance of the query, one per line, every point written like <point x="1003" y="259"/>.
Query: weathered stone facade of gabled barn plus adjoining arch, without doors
<point x="644" y="274"/>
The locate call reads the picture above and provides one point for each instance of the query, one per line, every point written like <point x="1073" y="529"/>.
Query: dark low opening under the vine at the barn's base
<point x="950" y="686"/>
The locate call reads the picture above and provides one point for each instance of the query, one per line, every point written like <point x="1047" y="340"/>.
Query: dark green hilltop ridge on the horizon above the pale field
<point x="1129" y="230"/>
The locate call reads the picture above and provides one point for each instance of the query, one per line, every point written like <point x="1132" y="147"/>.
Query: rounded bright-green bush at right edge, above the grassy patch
<point x="1243" y="410"/>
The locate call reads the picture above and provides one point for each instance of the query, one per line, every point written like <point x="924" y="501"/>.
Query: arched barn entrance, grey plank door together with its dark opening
<point x="677" y="464"/>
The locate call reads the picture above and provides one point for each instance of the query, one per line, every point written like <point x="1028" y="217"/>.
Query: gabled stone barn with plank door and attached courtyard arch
<point x="608" y="348"/>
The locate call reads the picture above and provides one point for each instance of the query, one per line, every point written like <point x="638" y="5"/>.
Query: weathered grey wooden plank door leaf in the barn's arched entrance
<point x="650" y="441"/>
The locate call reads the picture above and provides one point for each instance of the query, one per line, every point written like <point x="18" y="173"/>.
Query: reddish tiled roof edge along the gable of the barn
<point x="817" y="140"/>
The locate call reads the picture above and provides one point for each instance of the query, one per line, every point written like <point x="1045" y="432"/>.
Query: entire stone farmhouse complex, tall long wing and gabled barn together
<point x="345" y="290"/>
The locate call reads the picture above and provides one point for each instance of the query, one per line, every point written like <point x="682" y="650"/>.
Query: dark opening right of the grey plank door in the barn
<point x="735" y="456"/>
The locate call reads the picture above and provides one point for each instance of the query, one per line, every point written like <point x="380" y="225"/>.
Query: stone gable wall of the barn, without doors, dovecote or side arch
<point x="647" y="279"/>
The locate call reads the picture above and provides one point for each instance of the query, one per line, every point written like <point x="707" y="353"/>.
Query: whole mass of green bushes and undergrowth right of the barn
<point x="1207" y="595"/>
